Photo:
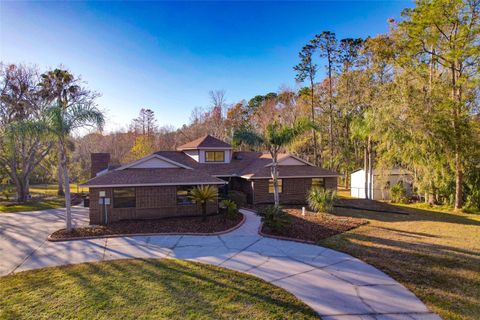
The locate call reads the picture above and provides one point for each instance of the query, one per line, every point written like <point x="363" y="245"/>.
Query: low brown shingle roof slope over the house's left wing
<point x="170" y="176"/>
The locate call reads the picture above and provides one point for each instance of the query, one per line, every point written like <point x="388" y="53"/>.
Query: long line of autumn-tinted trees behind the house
<point x="408" y="98"/>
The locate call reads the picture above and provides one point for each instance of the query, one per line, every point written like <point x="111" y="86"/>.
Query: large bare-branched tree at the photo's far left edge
<point x="22" y="131"/>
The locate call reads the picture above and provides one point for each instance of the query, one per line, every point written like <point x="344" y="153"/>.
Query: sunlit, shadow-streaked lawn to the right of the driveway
<point x="435" y="253"/>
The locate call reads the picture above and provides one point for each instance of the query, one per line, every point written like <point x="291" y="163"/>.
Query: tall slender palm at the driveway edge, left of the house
<point x="62" y="122"/>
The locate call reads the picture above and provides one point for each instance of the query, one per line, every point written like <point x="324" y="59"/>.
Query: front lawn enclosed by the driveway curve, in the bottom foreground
<point x="146" y="289"/>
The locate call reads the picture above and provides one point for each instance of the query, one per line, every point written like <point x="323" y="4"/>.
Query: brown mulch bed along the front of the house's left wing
<point x="216" y="223"/>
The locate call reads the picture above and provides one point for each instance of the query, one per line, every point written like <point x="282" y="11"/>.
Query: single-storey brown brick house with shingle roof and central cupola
<point x="158" y="185"/>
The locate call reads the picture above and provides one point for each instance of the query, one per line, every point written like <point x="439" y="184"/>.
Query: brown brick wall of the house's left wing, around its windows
<point x="151" y="203"/>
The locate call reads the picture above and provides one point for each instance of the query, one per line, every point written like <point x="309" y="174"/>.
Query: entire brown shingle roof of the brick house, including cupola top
<point x="250" y="165"/>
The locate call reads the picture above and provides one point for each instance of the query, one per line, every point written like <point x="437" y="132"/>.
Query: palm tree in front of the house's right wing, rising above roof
<point x="275" y="137"/>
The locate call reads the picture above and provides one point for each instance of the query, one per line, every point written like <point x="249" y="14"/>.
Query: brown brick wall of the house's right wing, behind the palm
<point x="294" y="190"/>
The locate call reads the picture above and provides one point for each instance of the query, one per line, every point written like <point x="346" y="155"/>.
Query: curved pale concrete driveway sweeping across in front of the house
<point x="332" y="283"/>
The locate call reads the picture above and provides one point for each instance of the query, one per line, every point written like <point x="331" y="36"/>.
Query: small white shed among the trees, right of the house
<point x="382" y="181"/>
